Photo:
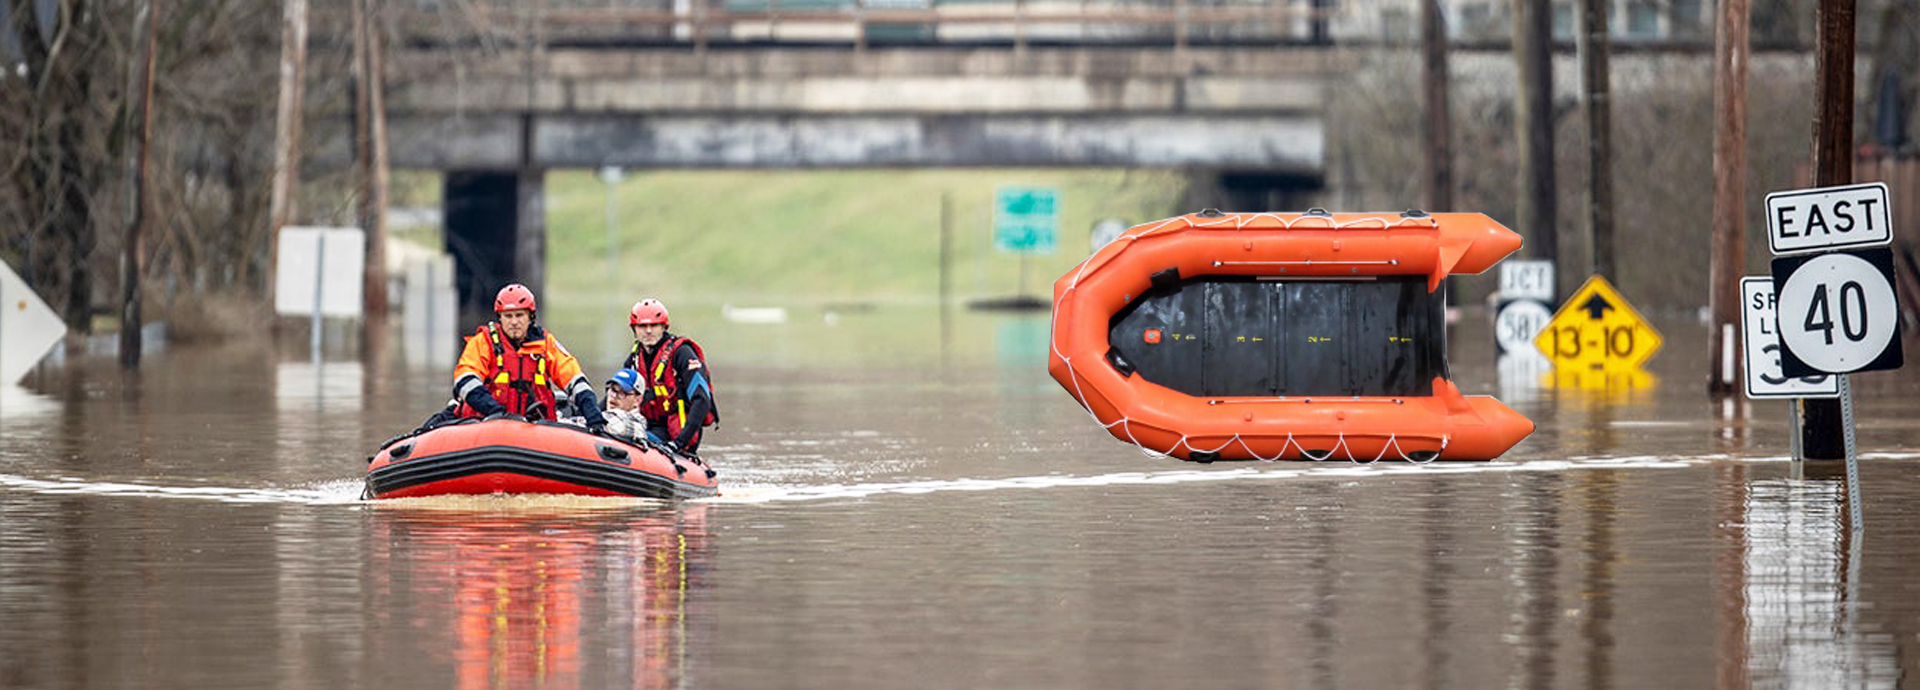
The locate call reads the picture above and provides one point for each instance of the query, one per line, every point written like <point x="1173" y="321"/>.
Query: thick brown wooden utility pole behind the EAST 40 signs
<point x="1823" y="428"/>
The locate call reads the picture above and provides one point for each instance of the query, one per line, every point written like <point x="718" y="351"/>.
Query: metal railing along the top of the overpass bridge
<point x="859" y="24"/>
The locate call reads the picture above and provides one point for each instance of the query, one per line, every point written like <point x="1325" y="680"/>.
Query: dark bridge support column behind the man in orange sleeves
<point x="496" y="228"/>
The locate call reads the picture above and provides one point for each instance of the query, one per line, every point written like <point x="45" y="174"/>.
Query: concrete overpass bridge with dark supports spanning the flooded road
<point x="496" y="97"/>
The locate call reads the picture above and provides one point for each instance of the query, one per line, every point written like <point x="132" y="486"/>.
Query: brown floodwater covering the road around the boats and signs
<point x="898" y="514"/>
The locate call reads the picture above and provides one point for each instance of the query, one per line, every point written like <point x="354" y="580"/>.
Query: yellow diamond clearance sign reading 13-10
<point x="1598" y="332"/>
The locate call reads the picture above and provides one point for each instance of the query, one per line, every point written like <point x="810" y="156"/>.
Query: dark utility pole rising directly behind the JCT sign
<point x="1533" y="36"/>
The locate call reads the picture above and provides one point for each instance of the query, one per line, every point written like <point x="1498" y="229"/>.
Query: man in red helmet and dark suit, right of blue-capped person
<point x="679" y="401"/>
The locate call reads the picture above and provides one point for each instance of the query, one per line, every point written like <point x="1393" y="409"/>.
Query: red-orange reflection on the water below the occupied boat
<point x="521" y="599"/>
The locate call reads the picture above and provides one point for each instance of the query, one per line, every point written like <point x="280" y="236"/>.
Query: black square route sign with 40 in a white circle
<point x="1838" y="312"/>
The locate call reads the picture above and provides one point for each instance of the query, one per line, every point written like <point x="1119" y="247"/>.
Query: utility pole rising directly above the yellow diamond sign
<point x="1595" y="66"/>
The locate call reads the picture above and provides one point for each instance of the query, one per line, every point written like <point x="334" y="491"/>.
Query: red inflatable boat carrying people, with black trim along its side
<point x="512" y="456"/>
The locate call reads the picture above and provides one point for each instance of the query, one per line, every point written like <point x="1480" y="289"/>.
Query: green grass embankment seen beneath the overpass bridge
<point x="821" y="237"/>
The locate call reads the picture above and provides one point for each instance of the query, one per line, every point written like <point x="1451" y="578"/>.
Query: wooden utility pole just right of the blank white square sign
<point x="370" y="157"/>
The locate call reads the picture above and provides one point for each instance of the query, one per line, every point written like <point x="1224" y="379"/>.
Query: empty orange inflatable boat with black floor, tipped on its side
<point x="1282" y="335"/>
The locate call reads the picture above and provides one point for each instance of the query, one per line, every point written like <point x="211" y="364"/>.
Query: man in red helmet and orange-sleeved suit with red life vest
<point x="512" y="366"/>
